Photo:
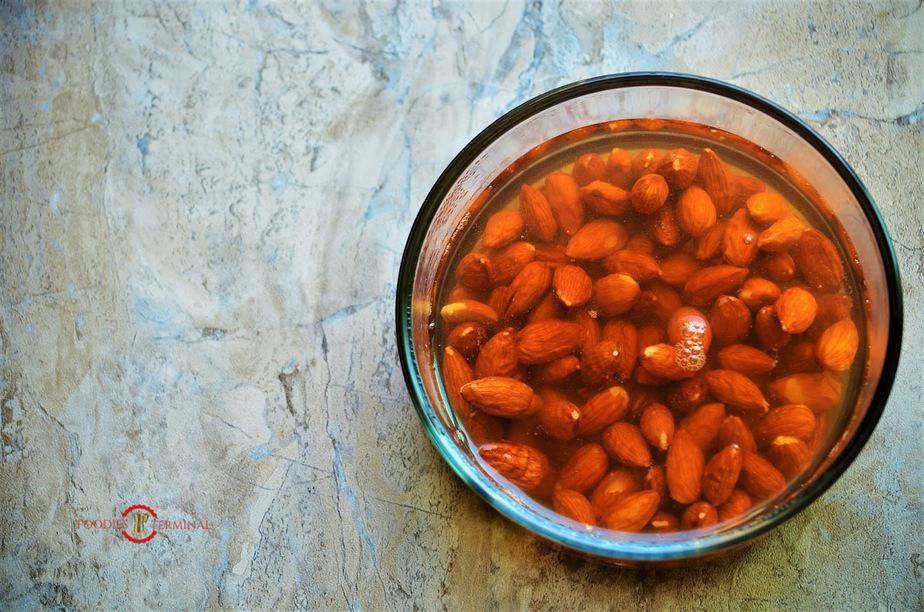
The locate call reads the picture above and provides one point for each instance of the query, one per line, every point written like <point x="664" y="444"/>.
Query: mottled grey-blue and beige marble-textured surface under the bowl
<point x="202" y="210"/>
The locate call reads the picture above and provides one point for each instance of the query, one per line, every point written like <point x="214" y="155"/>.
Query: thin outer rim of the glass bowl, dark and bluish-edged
<point x="640" y="548"/>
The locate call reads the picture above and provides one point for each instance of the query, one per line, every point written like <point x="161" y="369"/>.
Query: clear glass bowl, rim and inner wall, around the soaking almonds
<point x="633" y="96"/>
